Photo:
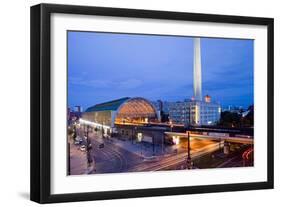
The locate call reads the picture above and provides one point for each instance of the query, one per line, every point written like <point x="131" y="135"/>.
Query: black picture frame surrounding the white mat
<point x="41" y="96"/>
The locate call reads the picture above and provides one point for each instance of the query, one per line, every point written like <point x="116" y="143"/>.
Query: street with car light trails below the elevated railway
<point x="116" y="155"/>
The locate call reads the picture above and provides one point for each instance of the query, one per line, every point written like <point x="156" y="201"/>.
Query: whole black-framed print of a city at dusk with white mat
<point x="133" y="103"/>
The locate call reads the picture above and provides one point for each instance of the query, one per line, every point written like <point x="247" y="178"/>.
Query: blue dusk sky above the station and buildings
<point x="107" y="66"/>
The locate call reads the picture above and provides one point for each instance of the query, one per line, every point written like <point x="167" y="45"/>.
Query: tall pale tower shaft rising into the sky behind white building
<point x="197" y="79"/>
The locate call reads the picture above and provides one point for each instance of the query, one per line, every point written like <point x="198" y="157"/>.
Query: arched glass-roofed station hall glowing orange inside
<point x="124" y="111"/>
